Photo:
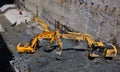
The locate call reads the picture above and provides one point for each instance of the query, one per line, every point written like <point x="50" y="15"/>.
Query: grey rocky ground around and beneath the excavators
<point x="73" y="58"/>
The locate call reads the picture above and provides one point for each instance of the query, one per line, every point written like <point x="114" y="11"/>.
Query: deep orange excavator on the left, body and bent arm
<point x="31" y="47"/>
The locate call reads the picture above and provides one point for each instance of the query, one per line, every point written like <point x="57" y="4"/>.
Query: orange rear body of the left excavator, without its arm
<point x="25" y="48"/>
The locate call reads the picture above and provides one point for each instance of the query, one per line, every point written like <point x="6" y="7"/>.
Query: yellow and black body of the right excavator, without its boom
<point x="100" y="49"/>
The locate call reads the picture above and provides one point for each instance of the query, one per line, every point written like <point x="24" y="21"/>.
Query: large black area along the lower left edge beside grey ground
<point x="5" y="56"/>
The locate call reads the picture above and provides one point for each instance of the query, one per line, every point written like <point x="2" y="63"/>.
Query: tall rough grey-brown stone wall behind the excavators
<point x="99" y="18"/>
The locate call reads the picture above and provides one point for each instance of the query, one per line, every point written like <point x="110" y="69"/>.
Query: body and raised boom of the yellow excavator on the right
<point x="95" y="48"/>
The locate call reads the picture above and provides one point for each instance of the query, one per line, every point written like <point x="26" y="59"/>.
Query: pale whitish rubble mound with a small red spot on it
<point x="18" y="17"/>
